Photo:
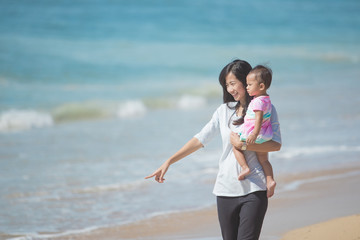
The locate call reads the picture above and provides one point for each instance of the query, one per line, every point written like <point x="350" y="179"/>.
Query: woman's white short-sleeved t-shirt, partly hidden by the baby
<point x="227" y="183"/>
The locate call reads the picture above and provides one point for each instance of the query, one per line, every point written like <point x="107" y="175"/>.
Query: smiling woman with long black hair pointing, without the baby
<point x="241" y="204"/>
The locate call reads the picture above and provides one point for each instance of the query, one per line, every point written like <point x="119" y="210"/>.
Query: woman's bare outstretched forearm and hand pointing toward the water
<point x="191" y="146"/>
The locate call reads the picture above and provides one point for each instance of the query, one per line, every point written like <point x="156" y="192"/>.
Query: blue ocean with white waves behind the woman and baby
<point x="95" y="95"/>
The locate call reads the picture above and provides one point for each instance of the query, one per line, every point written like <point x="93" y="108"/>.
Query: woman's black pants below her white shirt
<point x="241" y="218"/>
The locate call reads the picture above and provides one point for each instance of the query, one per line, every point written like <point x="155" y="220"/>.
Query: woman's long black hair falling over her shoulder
<point x="240" y="69"/>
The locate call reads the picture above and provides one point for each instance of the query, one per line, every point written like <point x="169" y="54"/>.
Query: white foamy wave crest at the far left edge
<point x="17" y="120"/>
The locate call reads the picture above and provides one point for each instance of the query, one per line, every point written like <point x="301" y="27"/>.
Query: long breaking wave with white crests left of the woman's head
<point x="19" y="120"/>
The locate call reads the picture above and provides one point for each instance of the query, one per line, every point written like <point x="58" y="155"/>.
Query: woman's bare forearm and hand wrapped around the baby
<point x="269" y="146"/>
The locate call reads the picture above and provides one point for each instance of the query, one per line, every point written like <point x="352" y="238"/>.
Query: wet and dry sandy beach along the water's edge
<point x="310" y="208"/>
